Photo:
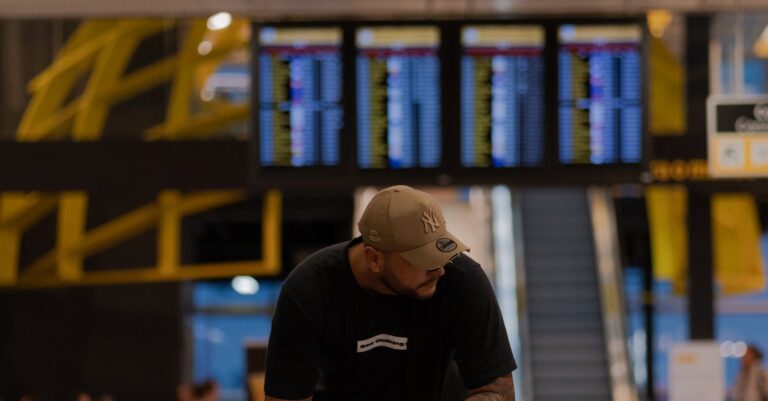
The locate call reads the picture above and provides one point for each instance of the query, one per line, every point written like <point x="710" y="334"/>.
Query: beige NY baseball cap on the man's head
<point x="410" y="223"/>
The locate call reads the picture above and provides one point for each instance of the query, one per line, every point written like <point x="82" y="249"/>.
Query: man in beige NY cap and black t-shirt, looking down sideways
<point x="381" y="317"/>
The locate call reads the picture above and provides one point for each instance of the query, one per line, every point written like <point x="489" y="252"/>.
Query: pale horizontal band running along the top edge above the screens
<point x="297" y="9"/>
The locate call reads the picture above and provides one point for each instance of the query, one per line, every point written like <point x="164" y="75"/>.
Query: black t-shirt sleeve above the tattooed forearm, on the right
<point x="482" y="350"/>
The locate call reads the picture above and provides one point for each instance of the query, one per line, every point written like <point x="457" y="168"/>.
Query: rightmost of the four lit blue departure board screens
<point x="600" y="102"/>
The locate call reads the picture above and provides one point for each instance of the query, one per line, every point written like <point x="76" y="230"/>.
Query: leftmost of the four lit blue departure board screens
<point x="300" y="93"/>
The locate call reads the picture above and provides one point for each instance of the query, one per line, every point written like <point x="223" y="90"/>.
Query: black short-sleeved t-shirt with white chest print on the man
<point x="336" y="341"/>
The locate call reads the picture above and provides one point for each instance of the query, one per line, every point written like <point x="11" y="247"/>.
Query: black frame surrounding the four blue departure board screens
<point x="451" y="172"/>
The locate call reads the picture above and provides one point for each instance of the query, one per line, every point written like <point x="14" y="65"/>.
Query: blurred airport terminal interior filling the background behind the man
<point x="164" y="167"/>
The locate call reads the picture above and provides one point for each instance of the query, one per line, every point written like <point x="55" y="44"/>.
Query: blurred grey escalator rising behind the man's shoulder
<point x="571" y="319"/>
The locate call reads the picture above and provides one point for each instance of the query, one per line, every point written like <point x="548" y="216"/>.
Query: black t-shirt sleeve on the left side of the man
<point x="293" y="353"/>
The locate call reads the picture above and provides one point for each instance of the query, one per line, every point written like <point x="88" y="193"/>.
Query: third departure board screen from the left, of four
<point x="502" y="96"/>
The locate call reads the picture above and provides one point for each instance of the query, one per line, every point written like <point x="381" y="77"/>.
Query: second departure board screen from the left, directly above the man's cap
<point x="398" y="97"/>
